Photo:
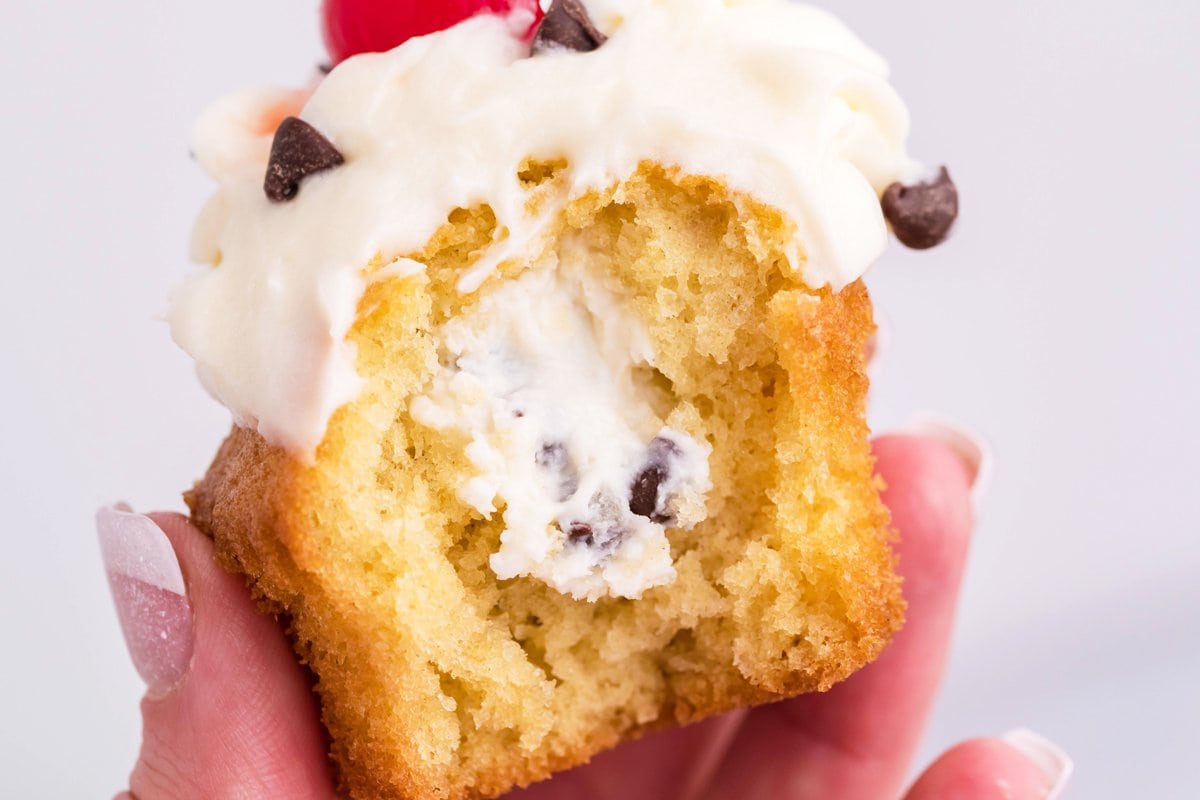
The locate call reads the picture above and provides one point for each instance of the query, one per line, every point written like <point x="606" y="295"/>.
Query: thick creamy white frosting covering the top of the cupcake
<point x="775" y="98"/>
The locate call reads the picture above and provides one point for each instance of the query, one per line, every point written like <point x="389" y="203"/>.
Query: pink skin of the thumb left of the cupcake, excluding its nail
<point x="243" y="685"/>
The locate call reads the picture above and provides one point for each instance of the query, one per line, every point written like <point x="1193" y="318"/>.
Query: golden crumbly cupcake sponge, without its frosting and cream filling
<point x="439" y="681"/>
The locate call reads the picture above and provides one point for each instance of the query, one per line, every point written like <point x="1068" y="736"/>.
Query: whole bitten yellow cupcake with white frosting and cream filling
<point x="578" y="460"/>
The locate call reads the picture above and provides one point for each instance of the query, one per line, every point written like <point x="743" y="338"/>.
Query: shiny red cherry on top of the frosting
<point x="356" y="27"/>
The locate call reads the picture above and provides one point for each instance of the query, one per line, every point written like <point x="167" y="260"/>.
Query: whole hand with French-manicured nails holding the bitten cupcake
<point x="230" y="714"/>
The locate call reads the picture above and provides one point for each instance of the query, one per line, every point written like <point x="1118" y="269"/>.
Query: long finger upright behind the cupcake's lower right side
<point x="859" y="739"/>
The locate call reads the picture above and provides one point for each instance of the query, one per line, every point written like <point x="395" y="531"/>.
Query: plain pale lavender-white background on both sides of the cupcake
<point x="1061" y="322"/>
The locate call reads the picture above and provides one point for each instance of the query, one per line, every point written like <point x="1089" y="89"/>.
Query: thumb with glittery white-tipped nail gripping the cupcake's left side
<point x="229" y="713"/>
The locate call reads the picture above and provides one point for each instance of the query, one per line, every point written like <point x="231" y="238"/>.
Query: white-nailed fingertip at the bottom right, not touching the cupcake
<point x="1019" y="767"/>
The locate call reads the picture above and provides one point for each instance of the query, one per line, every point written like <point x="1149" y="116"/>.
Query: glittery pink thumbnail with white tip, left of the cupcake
<point x="152" y="600"/>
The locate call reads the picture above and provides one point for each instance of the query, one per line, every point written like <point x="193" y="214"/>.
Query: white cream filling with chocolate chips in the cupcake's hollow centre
<point x="539" y="381"/>
